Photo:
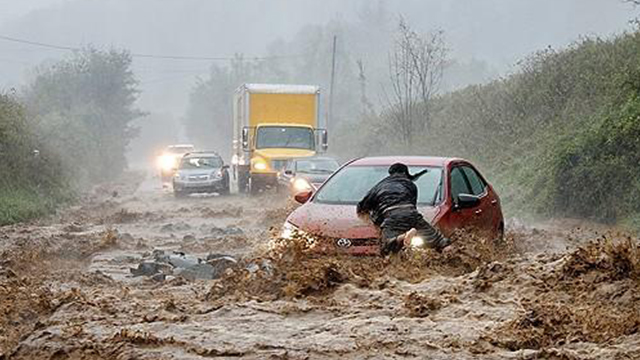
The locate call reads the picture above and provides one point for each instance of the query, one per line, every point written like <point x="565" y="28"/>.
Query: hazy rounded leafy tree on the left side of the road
<point x="84" y="106"/>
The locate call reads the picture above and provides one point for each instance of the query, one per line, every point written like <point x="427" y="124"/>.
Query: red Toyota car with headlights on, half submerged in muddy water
<point x="451" y="195"/>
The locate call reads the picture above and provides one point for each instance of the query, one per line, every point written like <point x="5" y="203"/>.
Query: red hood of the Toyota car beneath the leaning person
<point x="340" y="221"/>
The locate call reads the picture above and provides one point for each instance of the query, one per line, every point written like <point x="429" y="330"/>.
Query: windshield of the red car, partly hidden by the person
<point x="352" y="183"/>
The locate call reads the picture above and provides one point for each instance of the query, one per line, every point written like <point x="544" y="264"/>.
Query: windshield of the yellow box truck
<point x="292" y="137"/>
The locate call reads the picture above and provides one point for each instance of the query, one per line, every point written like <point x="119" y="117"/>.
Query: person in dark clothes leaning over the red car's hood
<point x="391" y="206"/>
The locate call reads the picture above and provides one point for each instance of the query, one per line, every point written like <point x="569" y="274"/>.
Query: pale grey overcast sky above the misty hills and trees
<point x="498" y="32"/>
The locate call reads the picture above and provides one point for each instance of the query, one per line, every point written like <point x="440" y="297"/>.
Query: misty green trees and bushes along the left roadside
<point x="68" y="130"/>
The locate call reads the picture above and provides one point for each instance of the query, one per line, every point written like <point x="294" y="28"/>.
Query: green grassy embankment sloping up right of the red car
<point x="561" y="137"/>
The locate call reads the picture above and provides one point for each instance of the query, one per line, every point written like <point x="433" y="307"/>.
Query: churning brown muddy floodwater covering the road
<point x="561" y="290"/>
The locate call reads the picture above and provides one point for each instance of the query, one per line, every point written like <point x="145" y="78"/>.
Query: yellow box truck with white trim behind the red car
<point x="271" y="124"/>
